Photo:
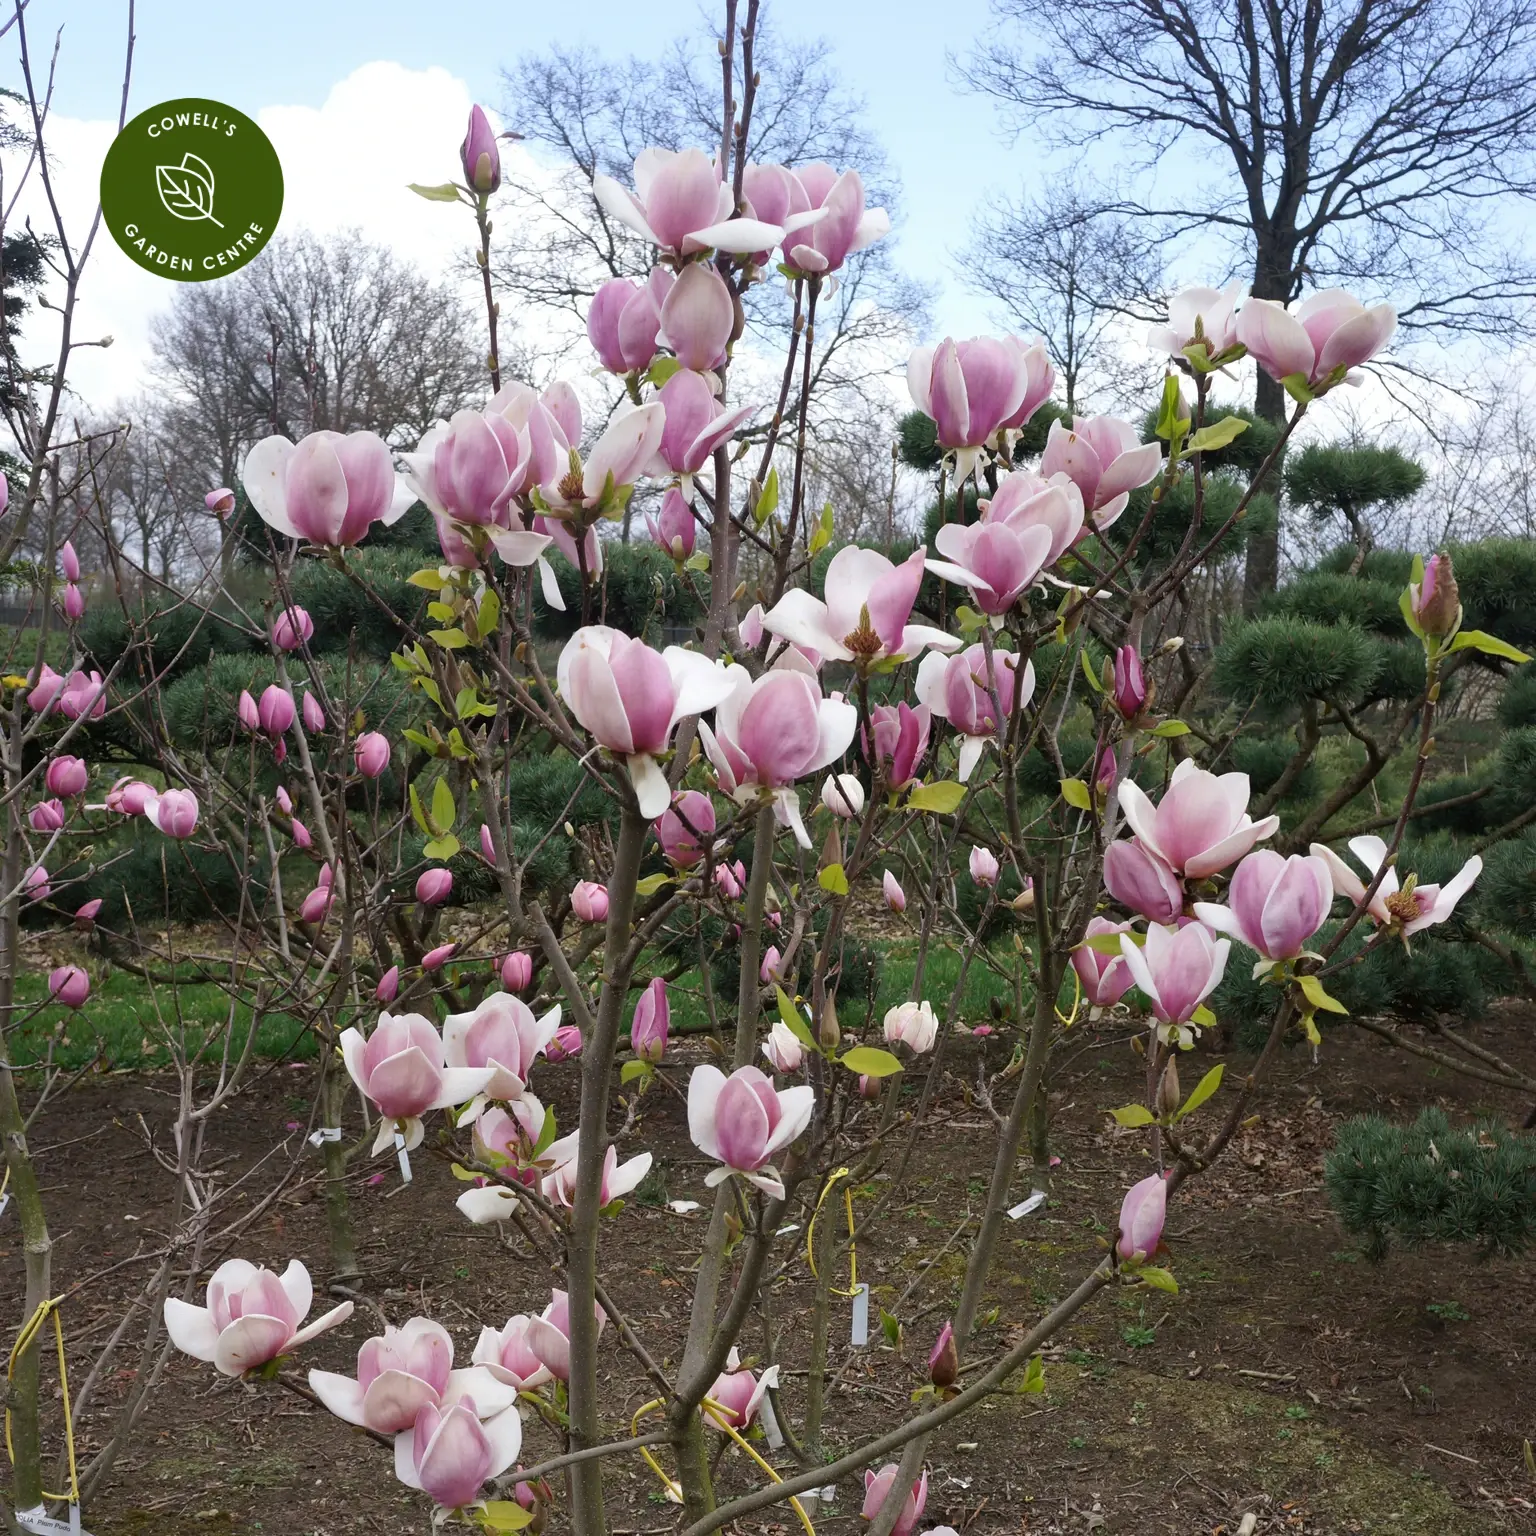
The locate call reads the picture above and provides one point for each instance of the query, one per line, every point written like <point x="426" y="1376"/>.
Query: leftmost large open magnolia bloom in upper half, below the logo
<point x="328" y="488"/>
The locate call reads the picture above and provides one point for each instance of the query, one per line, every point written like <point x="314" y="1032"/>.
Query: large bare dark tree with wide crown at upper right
<point x="1359" y="142"/>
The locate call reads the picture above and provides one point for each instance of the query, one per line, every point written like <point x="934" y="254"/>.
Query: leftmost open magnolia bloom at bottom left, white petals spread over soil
<point x="251" y="1317"/>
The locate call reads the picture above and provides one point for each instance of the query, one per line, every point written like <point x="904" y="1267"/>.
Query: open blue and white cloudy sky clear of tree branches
<point x="363" y="96"/>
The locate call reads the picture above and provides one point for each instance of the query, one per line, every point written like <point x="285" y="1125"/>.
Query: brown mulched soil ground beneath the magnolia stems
<point x="1289" y="1377"/>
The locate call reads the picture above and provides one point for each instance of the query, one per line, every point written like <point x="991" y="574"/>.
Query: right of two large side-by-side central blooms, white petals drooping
<point x="772" y="732"/>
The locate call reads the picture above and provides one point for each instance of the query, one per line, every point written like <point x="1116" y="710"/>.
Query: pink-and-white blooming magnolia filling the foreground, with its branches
<point x="841" y="732"/>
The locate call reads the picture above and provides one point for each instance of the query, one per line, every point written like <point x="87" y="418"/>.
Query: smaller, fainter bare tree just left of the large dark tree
<point x="1061" y="268"/>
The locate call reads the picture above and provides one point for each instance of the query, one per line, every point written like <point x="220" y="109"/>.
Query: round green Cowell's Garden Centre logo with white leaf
<point x="191" y="190"/>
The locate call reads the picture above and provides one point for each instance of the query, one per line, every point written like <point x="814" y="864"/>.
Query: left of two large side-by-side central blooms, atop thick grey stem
<point x="631" y="698"/>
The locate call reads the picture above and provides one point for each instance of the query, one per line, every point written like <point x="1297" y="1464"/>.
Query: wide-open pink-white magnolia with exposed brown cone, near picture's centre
<point x="867" y="612"/>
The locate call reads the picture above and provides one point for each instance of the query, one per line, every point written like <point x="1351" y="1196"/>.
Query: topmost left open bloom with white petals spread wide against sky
<point x="681" y="205"/>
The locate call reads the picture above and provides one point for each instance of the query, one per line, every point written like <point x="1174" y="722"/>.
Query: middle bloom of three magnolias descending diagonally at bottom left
<point x="399" y="1374"/>
